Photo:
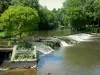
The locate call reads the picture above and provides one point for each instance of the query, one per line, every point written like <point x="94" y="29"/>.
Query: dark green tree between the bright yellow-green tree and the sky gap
<point x="48" y="19"/>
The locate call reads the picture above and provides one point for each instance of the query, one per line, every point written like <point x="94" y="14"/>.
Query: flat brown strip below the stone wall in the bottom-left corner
<point x="19" y="72"/>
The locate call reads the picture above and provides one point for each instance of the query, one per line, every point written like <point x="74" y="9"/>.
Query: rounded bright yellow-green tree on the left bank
<point x="17" y="20"/>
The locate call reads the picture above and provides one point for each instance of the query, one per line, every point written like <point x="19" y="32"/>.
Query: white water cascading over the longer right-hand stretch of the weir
<point x="69" y="40"/>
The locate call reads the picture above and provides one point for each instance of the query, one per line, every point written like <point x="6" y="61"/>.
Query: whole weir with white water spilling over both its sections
<point x="64" y="41"/>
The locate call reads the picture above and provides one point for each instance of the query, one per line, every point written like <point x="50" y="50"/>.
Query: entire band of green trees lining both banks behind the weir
<point x="20" y="18"/>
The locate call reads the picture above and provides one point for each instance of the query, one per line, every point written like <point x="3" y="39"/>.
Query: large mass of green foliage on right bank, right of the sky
<point x="79" y="13"/>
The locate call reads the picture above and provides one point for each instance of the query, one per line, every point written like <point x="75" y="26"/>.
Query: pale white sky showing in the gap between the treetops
<point x="52" y="3"/>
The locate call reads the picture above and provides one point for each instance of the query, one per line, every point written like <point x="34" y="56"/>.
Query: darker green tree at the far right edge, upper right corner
<point x="92" y="10"/>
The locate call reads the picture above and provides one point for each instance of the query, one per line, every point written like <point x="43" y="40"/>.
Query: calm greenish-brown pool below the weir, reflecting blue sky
<point x="81" y="59"/>
